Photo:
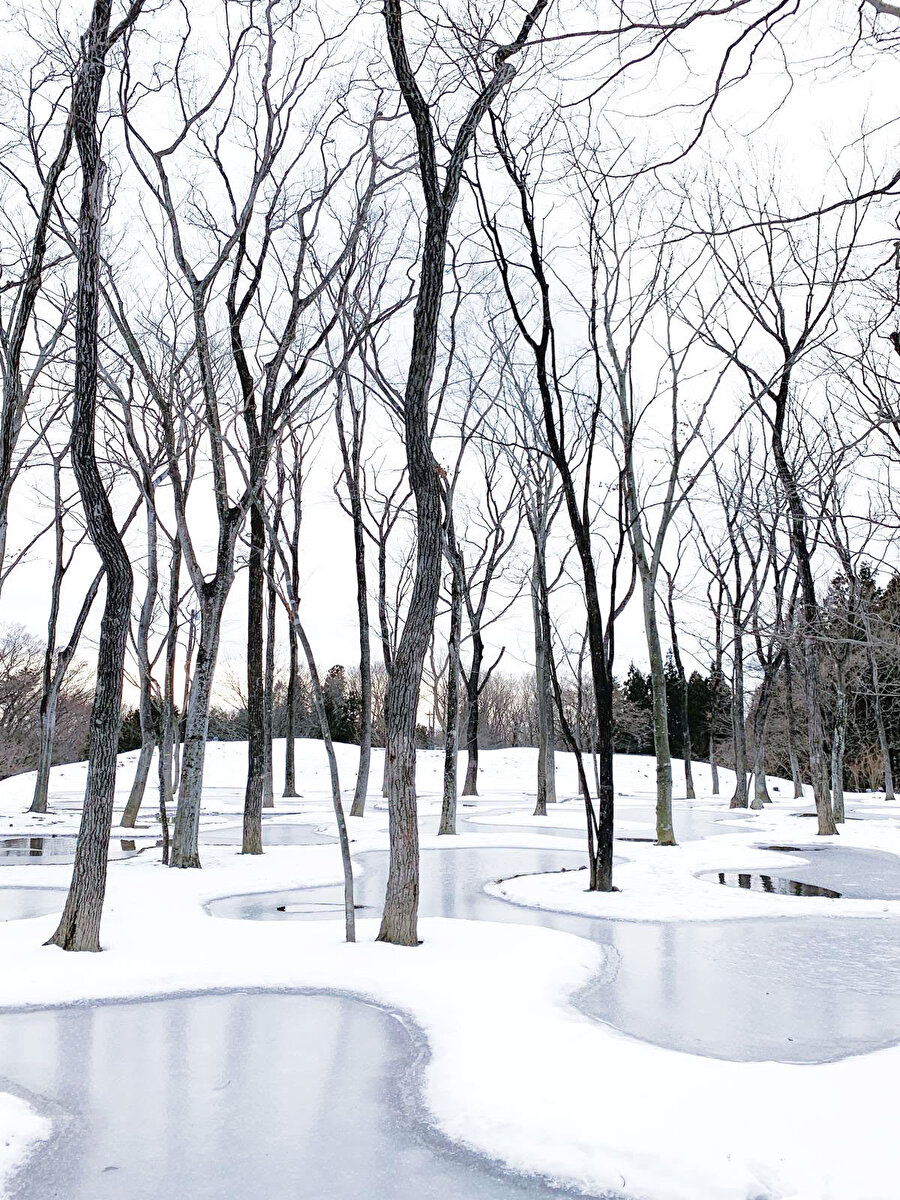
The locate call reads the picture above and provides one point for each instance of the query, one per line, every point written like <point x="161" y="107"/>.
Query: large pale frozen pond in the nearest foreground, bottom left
<point x="236" y="1097"/>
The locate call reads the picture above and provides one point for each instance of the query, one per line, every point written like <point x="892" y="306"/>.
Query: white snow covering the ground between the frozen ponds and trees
<point x="517" y="1070"/>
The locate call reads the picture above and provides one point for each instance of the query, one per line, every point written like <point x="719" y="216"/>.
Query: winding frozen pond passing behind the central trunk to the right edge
<point x="808" y="989"/>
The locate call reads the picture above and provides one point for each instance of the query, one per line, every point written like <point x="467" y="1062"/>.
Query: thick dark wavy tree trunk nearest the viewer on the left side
<point x="80" y="926"/>
